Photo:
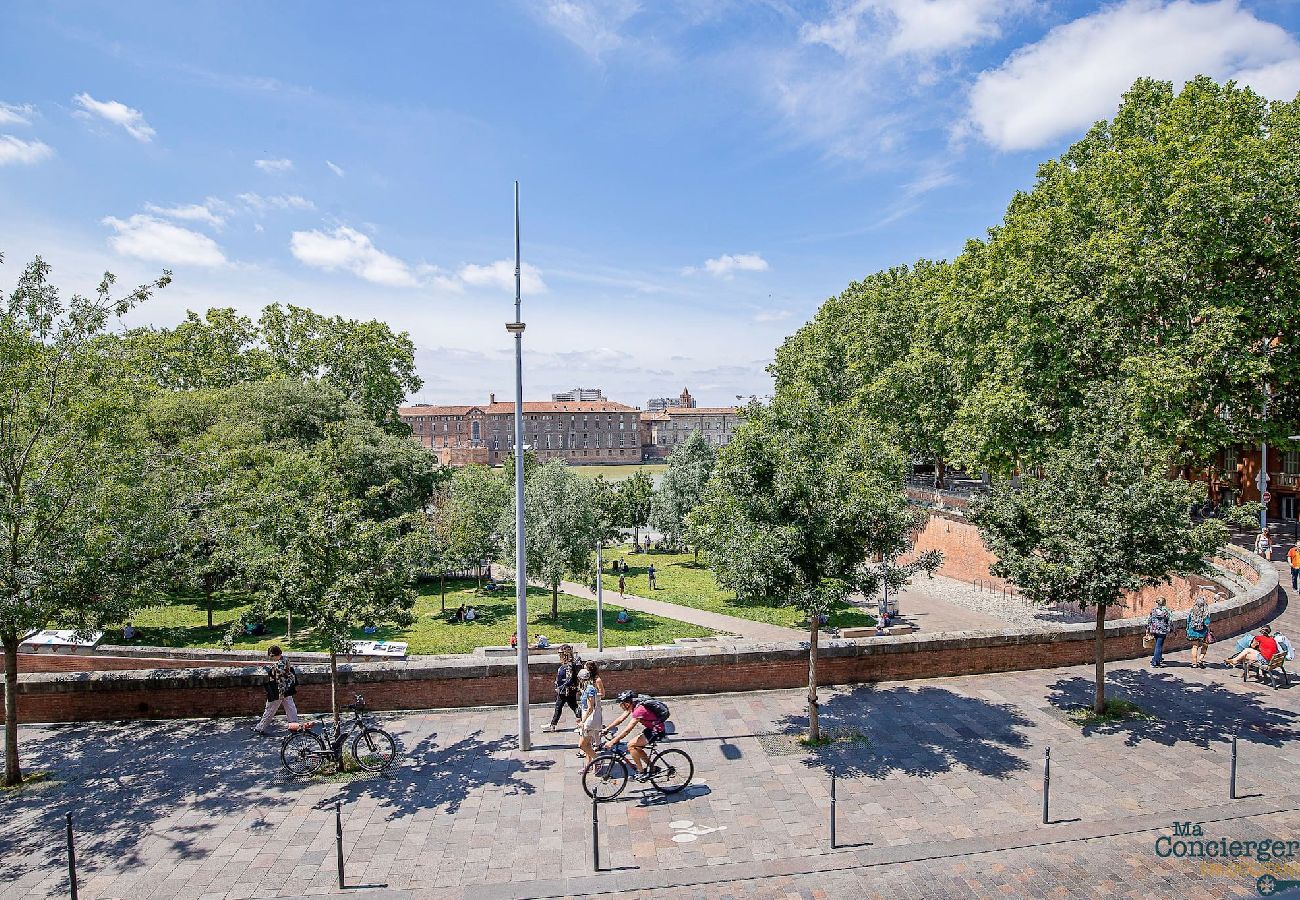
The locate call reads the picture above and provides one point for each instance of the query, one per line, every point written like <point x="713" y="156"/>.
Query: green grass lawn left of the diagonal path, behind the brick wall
<point x="184" y="624"/>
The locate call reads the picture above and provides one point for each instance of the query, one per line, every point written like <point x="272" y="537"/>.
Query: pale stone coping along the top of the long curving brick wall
<point x="1259" y="598"/>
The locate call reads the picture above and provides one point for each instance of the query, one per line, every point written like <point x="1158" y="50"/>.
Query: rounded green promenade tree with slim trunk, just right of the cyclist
<point x="798" y="504"/>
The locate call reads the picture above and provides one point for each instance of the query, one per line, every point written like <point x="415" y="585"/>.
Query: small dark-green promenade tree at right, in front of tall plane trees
<point x="1095" y="522"/>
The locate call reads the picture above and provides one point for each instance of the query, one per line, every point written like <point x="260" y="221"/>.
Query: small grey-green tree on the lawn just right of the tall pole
<point x="564" y="522"/>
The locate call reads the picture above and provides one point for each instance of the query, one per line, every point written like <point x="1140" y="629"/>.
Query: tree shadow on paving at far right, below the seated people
<point x="1184" y="712"/>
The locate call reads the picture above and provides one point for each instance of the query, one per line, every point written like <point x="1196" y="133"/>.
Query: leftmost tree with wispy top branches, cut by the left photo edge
<point x="79" y="505"/>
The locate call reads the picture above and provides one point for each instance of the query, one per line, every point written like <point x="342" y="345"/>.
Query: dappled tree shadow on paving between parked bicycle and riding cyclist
<point x="432" y="777"/>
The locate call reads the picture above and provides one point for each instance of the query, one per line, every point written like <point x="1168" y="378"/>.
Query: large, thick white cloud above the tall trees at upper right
<point x="1077" y="73"/>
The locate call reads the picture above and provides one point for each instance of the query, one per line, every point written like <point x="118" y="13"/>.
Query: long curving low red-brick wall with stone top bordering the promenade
<point x="473" y="681"/>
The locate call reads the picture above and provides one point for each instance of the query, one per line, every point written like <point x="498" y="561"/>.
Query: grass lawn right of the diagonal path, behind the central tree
<point x="682" y="581"/>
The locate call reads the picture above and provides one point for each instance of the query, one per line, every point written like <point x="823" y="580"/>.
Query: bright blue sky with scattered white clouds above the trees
<point x="697" y="176"/>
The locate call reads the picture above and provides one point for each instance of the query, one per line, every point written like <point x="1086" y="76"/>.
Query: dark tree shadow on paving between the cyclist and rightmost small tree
<point x="916" y="732"/>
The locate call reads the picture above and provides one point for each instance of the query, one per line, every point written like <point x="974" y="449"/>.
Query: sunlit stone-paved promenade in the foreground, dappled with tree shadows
<point x="942" y="799"/>
